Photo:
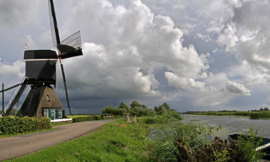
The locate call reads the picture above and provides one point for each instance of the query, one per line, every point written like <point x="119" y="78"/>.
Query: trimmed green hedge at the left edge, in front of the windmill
<point x="13" y="125"/>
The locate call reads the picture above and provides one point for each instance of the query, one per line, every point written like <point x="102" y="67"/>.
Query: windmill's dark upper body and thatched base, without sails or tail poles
<point x="40" y="68"/>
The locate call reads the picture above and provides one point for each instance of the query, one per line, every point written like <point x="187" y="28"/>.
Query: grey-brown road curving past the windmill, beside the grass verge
<point x="12" y="147"/>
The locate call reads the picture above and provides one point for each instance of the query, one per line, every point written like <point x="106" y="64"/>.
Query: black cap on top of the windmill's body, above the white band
<point x="40" y="54"/>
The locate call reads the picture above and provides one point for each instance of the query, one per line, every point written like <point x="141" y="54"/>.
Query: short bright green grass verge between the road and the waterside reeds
<point x="117" y="141"/>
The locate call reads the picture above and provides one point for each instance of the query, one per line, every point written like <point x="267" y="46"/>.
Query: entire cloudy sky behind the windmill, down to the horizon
<point x="195" y="55"/>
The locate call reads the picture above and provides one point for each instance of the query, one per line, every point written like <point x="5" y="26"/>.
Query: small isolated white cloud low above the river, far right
<point x="237" y="88"/>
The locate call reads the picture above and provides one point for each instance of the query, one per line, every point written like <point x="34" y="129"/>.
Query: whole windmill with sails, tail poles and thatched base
<point x="40" y="73"/>
